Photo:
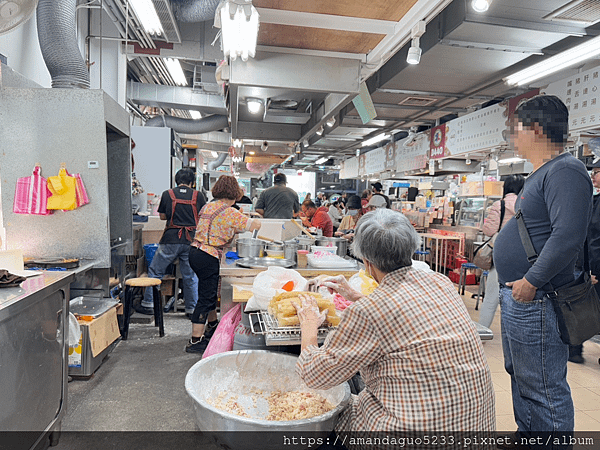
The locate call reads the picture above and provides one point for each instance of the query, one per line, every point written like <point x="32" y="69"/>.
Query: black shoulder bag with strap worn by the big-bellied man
<point x="576" y="305"/>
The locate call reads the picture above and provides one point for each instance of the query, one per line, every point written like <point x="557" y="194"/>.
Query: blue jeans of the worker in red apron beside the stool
<point x="165" y="255"/>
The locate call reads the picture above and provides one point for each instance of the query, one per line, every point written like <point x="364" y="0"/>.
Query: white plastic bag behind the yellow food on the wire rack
<point x="269" y="283"/>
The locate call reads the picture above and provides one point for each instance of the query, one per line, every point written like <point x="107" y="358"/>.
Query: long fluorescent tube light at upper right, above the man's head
<point x="556" y="63"/>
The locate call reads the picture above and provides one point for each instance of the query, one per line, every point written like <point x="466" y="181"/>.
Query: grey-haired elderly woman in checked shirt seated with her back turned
<point x="412" y="340"/>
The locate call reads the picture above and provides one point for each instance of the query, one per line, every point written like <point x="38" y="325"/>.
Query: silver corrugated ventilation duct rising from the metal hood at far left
<point x="58" y="41"/>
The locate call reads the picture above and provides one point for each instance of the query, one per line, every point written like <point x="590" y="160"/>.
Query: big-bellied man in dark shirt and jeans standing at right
<point x="555" y="204"/>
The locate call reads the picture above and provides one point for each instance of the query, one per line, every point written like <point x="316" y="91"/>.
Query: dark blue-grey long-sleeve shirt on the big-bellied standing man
<point x="556" y="205"/>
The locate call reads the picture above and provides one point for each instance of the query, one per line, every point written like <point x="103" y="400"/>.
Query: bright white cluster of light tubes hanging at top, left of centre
<point x="239" y="29"/>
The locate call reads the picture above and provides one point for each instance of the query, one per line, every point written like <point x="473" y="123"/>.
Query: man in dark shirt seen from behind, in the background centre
<point x="279" y="201"/>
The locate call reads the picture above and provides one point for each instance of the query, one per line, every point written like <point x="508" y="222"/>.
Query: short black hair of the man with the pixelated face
<point x="549" y="112"/>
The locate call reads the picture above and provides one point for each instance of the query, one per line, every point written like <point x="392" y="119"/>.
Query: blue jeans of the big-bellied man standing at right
<point x="536" y="360"/>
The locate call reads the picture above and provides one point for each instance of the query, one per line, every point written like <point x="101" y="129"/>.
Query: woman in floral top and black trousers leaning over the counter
<point x="218" y="223"/>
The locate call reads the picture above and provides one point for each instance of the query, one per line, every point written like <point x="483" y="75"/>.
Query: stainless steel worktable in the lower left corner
<point x="33" y="356"/>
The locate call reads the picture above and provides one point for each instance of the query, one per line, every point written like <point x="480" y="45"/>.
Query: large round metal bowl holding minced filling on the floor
<point x="241" y="372"/>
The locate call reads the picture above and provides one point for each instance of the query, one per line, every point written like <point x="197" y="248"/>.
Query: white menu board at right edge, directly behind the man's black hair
<point x="581" y="95"/>
